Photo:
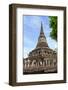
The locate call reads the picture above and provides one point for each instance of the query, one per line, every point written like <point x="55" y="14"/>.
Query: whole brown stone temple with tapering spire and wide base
<point x="42" y="59"/>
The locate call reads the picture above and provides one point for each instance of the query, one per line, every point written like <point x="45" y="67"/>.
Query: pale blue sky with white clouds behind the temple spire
<point x="32" y="26"/>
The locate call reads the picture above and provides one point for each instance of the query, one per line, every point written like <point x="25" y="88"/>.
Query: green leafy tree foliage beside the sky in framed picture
<point x="53" y="26"/>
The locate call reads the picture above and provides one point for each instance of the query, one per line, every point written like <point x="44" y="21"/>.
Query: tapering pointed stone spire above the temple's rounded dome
<point x="42" y="42"/>
